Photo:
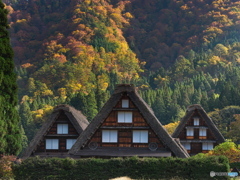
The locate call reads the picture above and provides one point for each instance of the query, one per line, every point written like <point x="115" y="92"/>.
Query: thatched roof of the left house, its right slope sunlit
<point x="77" y="119"/>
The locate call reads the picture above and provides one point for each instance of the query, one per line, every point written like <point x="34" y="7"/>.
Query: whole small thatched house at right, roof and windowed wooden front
<point x="197" y="132"/>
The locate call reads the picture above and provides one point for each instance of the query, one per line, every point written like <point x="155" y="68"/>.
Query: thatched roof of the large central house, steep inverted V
<point x="144" y="109"/>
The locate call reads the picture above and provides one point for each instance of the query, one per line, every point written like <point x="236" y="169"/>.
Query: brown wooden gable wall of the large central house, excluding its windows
<point x="125" y="130"/>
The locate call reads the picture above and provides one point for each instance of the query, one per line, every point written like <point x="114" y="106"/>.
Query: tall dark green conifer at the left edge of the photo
<point x="10" y="137"/>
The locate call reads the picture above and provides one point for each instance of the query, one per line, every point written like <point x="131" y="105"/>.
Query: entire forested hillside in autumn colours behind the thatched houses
<point x="176" y="52"/>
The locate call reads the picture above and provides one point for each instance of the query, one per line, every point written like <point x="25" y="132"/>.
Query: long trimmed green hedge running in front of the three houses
<point x="134" y="167"/>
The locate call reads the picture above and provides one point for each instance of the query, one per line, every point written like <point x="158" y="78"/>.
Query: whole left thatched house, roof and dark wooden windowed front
<point x="58" y="133"/>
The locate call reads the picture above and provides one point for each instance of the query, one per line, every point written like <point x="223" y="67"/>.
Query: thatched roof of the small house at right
<point x="190" y="111"/>
